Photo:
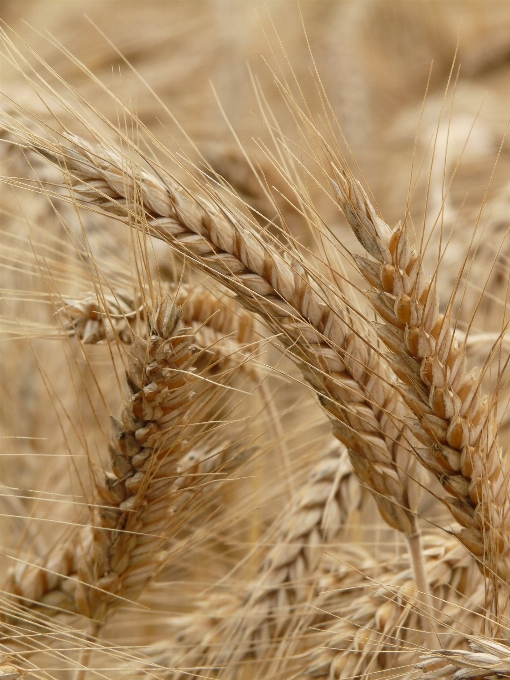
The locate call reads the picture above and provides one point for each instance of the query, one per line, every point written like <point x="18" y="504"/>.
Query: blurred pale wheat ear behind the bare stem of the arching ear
<point x="379" y="631"/>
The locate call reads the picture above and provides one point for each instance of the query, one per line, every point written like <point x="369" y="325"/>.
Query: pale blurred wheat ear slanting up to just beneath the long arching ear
<point x="287" y="577"/>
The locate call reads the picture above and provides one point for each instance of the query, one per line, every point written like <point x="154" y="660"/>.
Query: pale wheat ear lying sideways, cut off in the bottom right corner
<point x="488" y="660"/>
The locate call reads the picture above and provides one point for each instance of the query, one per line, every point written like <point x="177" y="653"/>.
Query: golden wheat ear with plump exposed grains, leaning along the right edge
<point x="453" y="419"/>
